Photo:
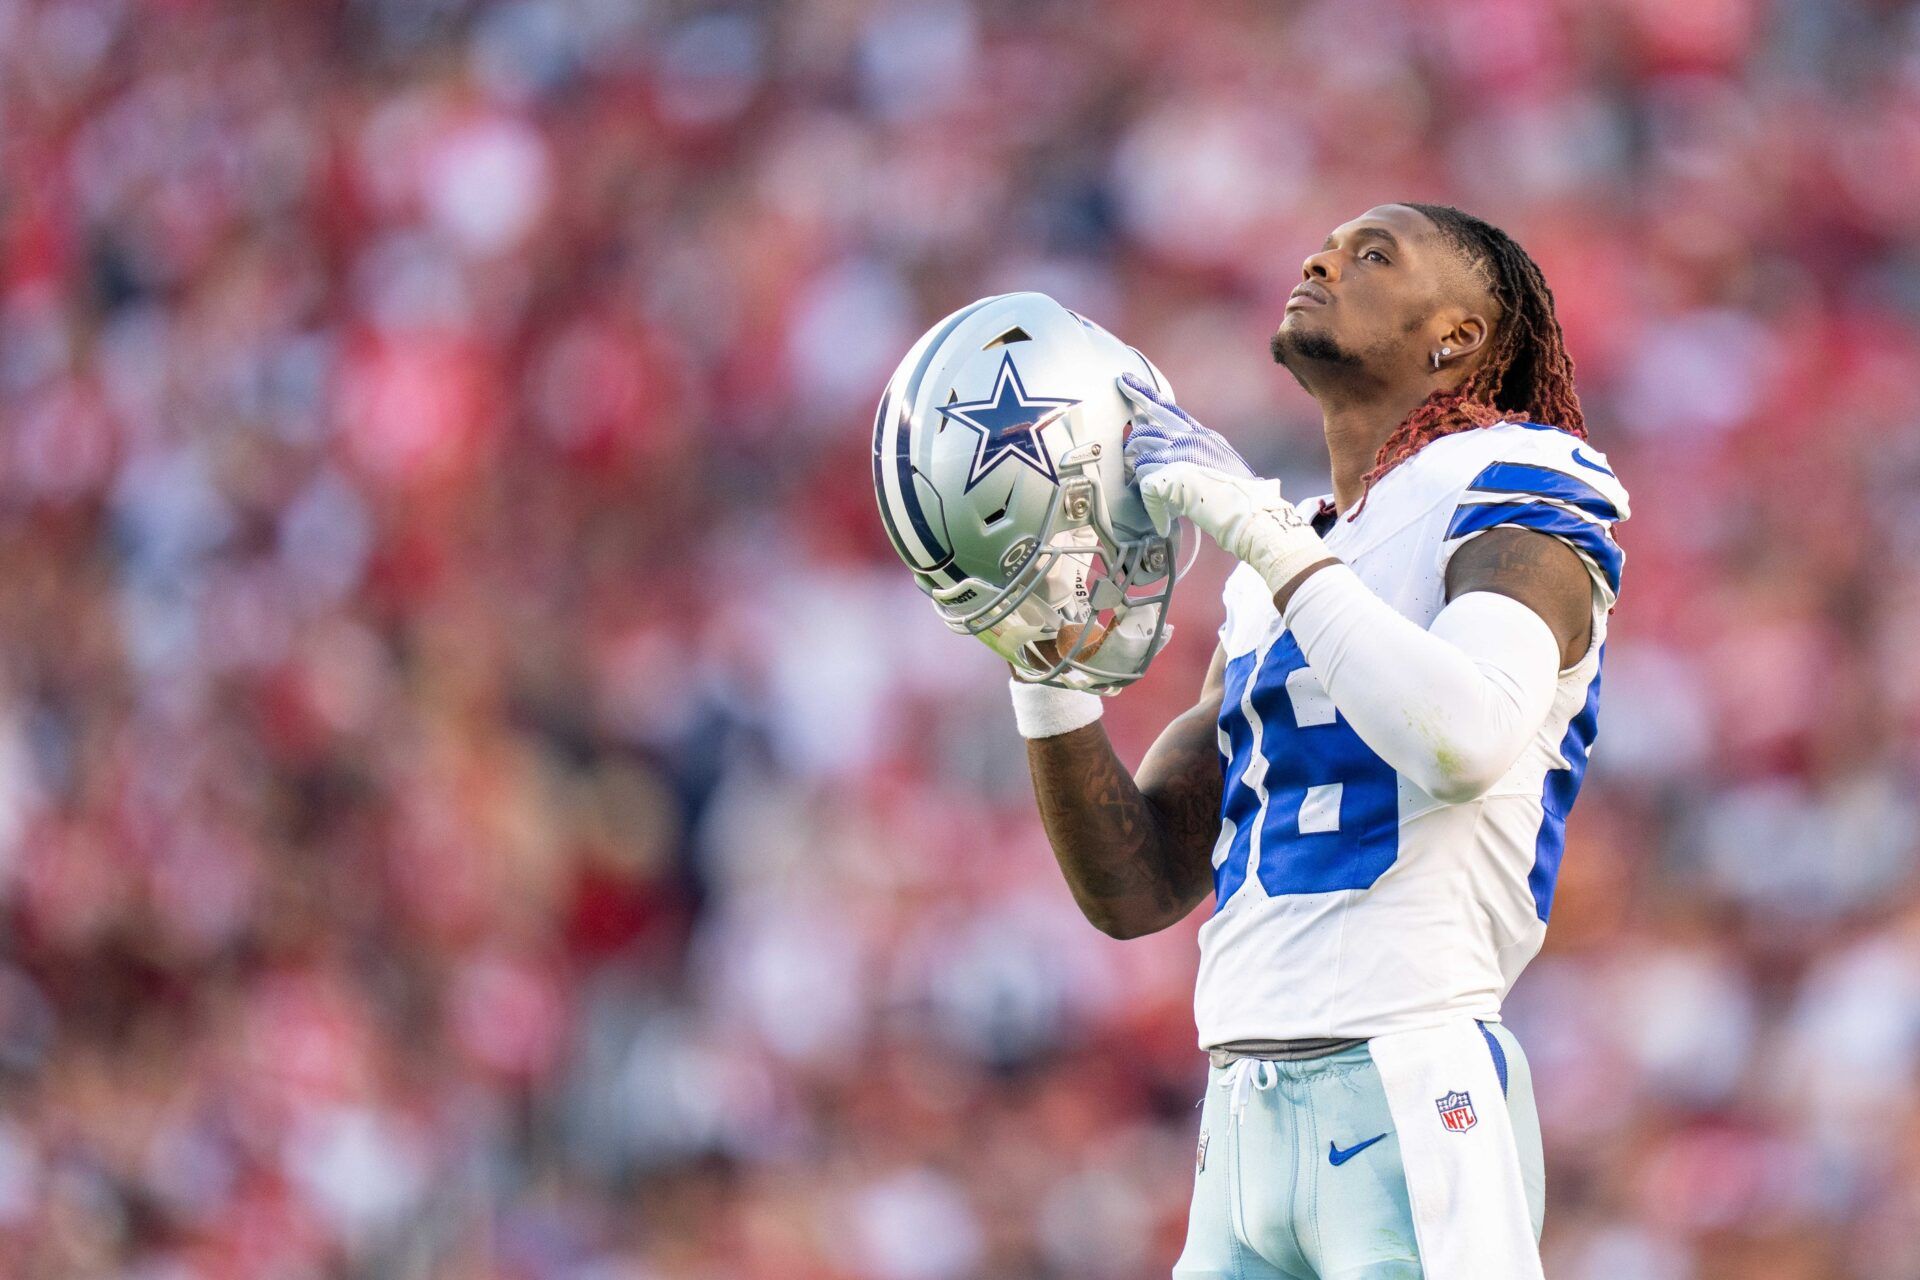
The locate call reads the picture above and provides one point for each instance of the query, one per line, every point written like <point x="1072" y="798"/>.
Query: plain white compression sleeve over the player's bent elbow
<point x="1451" y="707"/>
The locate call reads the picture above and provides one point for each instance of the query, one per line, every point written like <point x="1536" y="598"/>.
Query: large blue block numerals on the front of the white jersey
<point x="1356" y="830"/>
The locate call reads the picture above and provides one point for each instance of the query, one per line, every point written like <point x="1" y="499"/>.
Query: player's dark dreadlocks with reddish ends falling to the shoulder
<point x="1525" y="377"/>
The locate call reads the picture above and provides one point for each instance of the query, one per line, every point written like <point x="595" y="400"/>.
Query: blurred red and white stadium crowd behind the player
<point x="479" y="797"/>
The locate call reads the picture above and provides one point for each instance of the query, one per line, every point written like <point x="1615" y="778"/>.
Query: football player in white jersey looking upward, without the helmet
<point x="1374" y="784"/>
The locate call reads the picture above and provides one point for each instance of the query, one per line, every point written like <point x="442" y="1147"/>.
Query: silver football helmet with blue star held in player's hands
<point x="1001" y="477"/>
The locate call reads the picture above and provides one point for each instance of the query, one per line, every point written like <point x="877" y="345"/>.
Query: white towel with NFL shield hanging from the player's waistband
<point x="1456" y="1145"/>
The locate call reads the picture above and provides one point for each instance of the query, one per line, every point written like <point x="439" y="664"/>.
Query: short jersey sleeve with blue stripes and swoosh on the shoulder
<point x="1556" y="485"/>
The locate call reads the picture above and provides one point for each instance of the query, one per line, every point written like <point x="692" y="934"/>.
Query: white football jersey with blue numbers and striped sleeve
<point x="1351" y="903"/>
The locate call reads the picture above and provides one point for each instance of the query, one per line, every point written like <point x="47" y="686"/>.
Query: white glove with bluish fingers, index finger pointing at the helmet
<point x="1188" y="471"/>
